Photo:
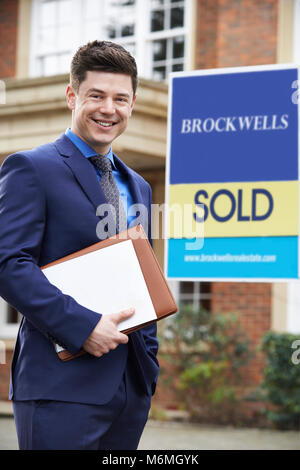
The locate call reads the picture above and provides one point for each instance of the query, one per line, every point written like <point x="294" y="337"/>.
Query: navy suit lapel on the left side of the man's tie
<point x="82" y="170"/>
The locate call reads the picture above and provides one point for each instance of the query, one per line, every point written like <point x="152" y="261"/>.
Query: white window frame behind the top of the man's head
<point x="142" y="37"/>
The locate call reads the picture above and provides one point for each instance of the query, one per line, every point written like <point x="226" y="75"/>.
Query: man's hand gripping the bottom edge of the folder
<point x="105" y="335"/>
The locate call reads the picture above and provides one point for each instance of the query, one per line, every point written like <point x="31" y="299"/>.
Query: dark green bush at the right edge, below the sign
<point x="281" y="384"/>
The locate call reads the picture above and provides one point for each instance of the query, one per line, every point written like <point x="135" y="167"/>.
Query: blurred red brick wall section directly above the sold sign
<point x="234" y="33"/>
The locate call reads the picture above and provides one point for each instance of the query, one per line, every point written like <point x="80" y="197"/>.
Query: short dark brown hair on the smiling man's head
<point x="103" y="56"/>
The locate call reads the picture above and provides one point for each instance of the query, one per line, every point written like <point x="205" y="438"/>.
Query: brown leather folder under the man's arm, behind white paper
<point x="159" y="291"/>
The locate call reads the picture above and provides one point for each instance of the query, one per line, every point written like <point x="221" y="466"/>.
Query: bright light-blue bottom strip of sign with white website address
<point x="255" y="257"/>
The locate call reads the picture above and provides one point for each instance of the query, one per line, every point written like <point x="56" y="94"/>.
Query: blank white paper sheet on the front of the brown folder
<point x="106" y="281"/>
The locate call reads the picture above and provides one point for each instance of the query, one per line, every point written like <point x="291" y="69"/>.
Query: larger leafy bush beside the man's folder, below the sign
<point x="206" y="352"/>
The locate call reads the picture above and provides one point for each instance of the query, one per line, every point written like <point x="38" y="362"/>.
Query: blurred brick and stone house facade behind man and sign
<point x="37" y="41"/>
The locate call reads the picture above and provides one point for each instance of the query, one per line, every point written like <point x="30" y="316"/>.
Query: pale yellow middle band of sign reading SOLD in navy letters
<point x="236" y="209"/>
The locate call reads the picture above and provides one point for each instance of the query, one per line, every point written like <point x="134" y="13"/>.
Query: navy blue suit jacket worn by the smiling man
<point x="48" y="201"/>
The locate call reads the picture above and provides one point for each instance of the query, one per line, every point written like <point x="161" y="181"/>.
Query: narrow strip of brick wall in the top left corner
<point x="8" y="37"/>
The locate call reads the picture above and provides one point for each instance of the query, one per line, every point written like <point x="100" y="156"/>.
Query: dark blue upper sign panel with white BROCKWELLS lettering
<point x="234" y="127"/>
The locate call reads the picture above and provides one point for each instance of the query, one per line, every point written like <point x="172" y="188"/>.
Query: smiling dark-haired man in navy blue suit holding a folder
<point x="49" y="198"/>
